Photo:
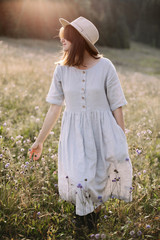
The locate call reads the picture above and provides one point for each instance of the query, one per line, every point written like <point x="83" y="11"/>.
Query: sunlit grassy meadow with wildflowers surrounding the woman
<point x="30" y="207"/>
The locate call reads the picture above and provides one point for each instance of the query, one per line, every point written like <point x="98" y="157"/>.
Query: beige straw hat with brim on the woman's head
<point x="86" y="28"/>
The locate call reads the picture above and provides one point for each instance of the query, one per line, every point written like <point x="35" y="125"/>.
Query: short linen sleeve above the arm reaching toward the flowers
<point x="55" y="94"/>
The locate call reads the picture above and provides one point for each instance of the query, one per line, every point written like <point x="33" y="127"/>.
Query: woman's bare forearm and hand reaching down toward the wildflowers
<point x="49" y="122"/>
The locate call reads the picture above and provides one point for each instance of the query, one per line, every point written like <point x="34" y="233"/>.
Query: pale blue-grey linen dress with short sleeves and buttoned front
<point x="93" y="159"/>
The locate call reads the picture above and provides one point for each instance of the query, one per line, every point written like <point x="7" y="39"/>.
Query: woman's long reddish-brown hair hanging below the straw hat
<point x="75" y="55"/>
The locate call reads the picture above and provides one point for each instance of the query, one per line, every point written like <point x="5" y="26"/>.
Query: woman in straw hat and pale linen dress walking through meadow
<point x="93" y="160"/>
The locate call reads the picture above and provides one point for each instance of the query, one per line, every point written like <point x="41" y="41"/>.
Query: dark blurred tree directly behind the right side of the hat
<point x="109" y="18"/>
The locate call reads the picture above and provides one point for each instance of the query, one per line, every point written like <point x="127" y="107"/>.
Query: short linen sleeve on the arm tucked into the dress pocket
<point x="114" y="90"/>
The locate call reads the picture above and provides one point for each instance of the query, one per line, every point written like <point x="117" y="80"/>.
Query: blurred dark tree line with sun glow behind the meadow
<point x="118" y="21"/>
